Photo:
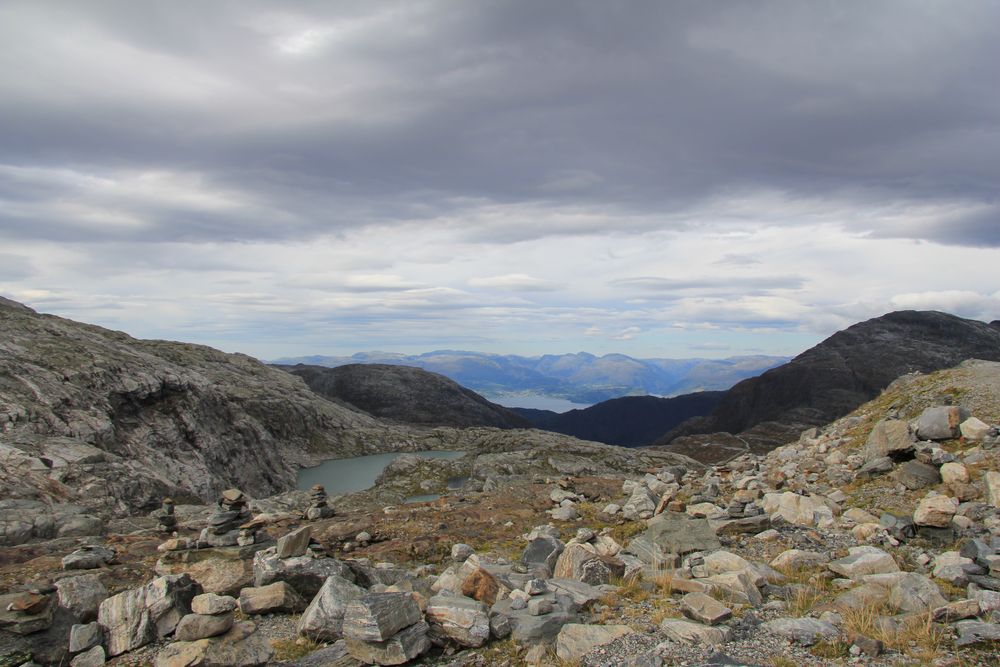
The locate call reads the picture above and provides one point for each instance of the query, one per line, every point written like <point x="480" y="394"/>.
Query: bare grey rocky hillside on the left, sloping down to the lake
<point x="95" y="416"/>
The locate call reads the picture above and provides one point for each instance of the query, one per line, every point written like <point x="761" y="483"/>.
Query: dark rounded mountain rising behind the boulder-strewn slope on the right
<point x="834" y="377"/>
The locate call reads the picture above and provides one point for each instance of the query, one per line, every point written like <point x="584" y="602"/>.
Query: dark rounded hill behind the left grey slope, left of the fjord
<point x="405" y="394"/>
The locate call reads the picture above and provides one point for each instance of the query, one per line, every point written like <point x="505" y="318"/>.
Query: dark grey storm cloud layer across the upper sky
<point x="310" y="118"/>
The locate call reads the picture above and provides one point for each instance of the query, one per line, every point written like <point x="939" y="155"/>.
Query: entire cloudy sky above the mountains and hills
<point x="662" y="179"/>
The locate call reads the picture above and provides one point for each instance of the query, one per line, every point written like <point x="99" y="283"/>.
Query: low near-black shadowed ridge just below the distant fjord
<point x="630" y="421"/>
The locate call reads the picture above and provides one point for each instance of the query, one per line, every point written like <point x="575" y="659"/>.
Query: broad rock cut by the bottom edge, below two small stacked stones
<point x="242" y="646"/>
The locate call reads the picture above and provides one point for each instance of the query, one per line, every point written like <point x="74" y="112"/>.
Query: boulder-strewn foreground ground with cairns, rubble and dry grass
<point x="873" y="541"/>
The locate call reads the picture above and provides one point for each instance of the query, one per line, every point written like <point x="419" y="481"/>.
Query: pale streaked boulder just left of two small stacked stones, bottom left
<point x="138" y="616"/>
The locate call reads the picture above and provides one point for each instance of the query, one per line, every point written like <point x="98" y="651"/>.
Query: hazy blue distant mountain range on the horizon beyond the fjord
<point x="579" y="377"/>
